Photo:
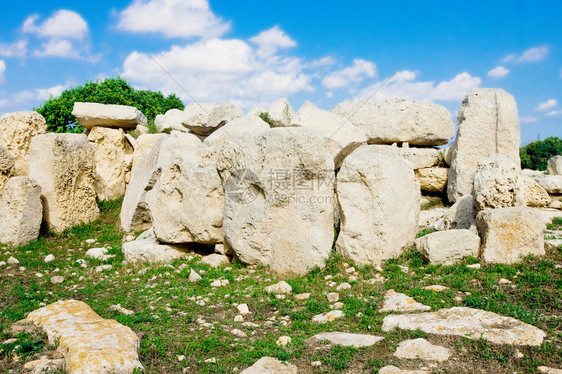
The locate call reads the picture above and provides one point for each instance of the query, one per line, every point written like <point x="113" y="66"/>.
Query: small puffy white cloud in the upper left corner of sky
<point x="64" y="24"/>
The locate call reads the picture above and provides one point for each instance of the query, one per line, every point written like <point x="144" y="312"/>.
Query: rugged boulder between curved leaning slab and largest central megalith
<point x="186" y="203"/>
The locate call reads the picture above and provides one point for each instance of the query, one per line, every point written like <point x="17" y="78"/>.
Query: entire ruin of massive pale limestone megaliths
<point x="272" y="193"/>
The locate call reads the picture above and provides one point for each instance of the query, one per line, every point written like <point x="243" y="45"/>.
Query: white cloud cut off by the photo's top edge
<point x="172" y="18"/>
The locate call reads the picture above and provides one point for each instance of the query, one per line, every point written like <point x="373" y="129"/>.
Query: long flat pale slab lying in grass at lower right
<point x="468" y="322"/>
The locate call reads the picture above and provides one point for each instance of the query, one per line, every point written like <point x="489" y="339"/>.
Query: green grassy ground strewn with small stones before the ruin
<point x="176" y="318"/>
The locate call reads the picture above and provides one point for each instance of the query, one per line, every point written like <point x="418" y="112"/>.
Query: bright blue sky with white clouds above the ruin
<point x="253" y="52"/>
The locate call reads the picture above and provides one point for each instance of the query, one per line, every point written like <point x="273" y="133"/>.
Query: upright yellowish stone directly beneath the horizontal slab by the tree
<point x="112" y="151"/>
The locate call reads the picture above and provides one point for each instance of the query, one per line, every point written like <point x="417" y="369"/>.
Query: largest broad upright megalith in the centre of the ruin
<point x="278" y="205"/>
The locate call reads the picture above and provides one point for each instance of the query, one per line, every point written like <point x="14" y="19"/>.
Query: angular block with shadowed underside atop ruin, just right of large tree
<point x="204" y="118"/>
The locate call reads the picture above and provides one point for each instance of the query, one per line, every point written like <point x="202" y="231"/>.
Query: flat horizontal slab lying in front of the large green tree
<point x="108" y="115"/>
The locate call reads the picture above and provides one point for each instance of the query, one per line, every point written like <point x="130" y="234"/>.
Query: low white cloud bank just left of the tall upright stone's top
<point x="403" y="85"/>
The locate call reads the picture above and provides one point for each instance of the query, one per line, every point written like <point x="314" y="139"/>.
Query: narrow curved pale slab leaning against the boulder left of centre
<point x="146" y="171"/>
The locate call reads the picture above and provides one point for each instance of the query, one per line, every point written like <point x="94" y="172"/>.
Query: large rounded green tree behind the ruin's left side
<point x="58" y="110"/>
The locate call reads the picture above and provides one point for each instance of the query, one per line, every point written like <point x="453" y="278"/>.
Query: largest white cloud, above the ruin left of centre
<point x="219" y="70"/>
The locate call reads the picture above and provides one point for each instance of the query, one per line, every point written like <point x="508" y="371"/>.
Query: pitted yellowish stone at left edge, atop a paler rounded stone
<point x="16" y="131"/>
